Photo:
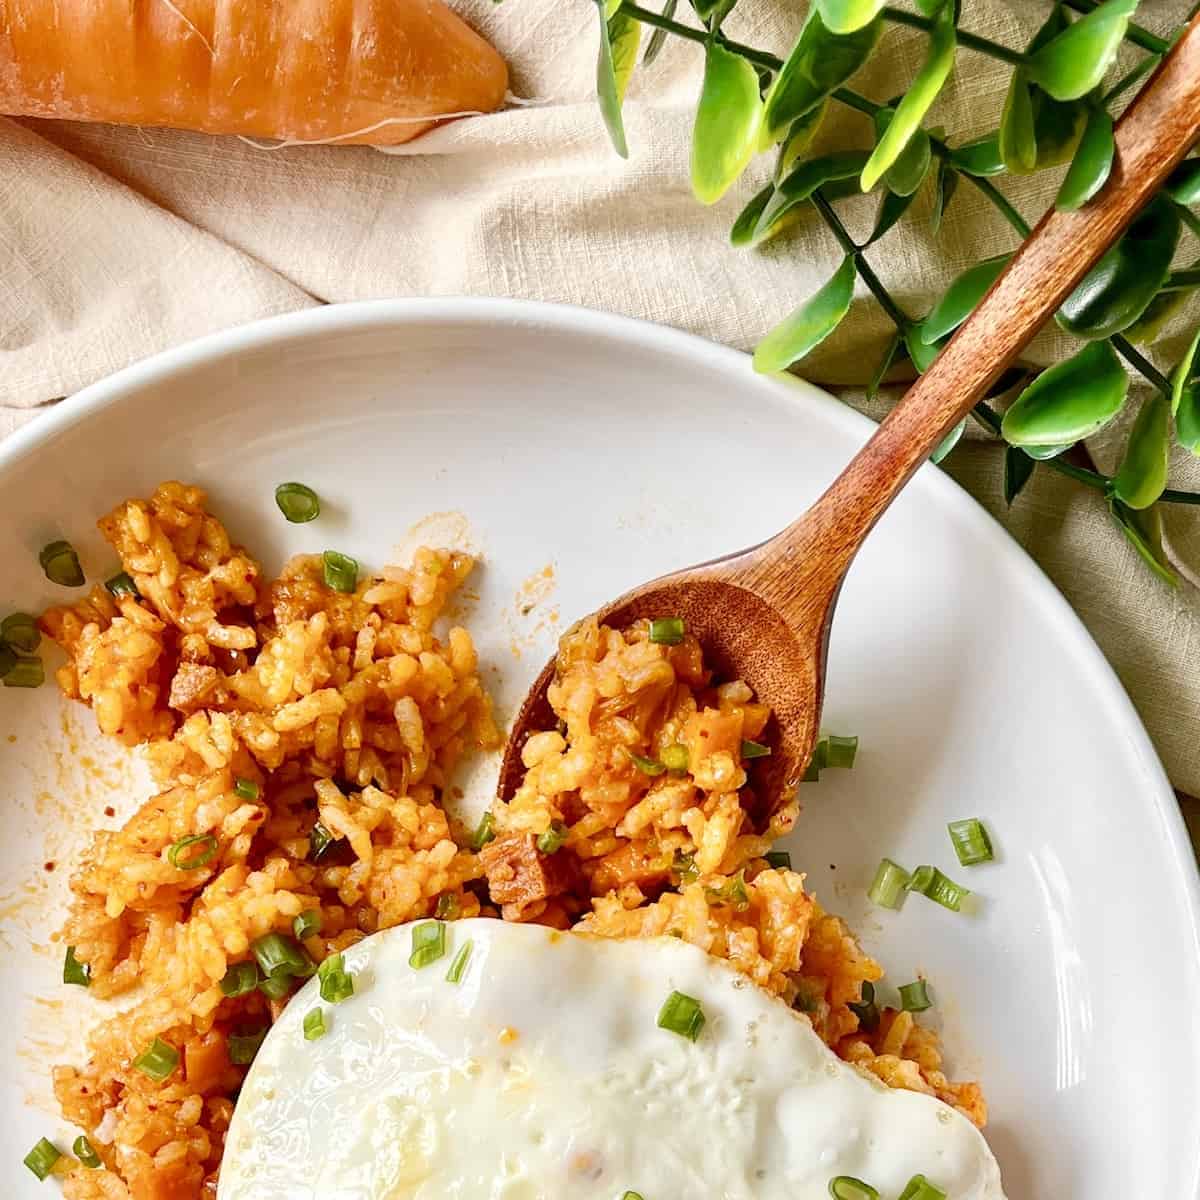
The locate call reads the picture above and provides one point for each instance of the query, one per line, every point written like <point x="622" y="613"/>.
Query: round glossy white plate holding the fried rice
<point x="613" y="451"/>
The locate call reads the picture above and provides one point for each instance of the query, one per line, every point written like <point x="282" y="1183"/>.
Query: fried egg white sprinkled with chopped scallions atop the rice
<point x="544" y="1076"/>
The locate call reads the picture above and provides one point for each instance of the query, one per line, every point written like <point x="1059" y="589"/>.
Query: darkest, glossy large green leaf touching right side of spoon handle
<point x="1115" y="292"/>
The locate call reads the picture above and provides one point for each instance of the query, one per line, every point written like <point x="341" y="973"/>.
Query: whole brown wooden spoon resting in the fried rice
<point x="764" y="615"/>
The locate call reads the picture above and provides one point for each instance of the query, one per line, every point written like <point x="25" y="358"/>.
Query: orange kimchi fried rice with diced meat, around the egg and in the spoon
<point x="304" y="739"/>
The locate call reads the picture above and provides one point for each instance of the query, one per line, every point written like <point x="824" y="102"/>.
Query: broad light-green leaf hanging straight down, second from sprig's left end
<point x="727" y="133"/>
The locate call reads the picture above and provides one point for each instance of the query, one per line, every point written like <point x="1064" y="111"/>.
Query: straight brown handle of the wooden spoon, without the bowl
<point x="1151" y="139"/>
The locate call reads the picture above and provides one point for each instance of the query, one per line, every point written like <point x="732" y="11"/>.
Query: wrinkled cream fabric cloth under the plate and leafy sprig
<point x="116" y="243"/>
